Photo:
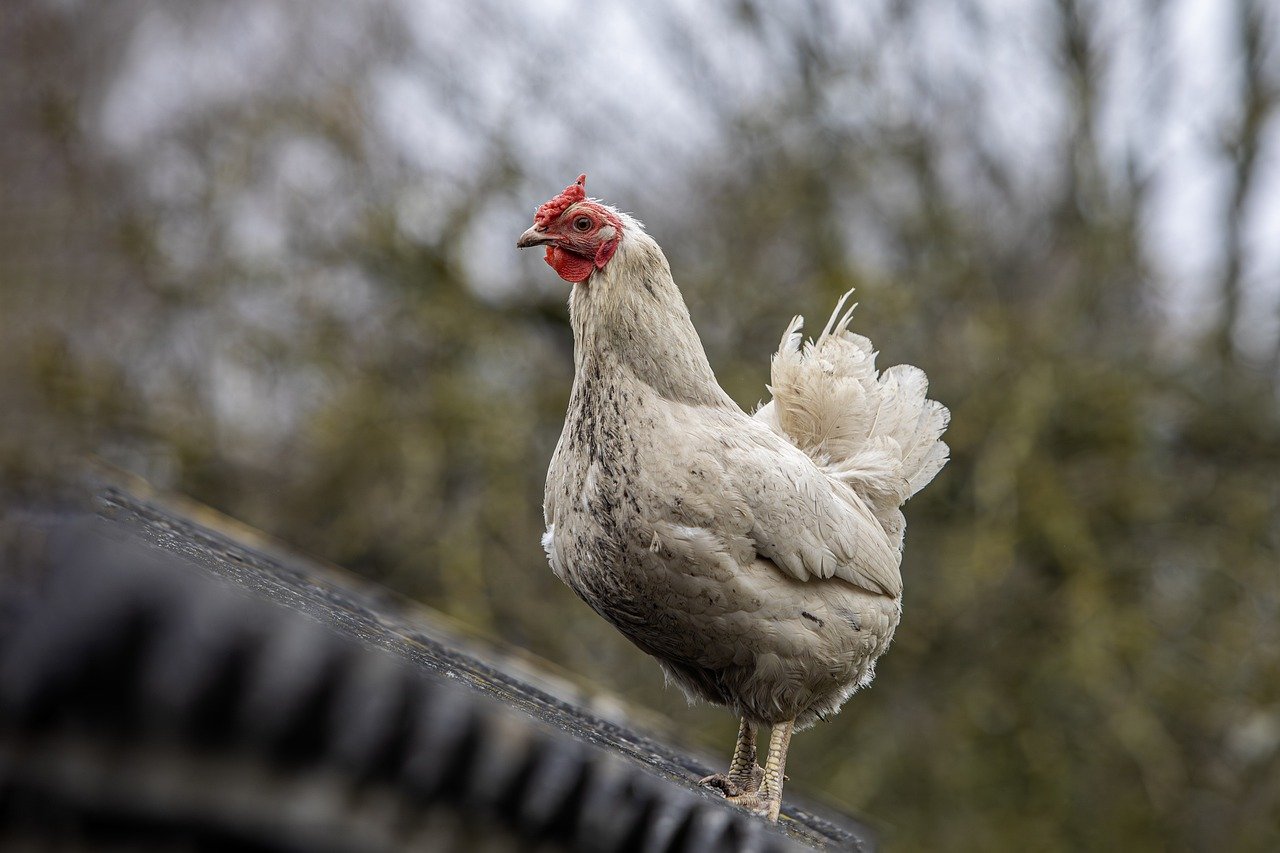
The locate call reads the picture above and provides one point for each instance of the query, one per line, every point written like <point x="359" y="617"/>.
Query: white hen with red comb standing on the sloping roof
<point x="756" y="558"/>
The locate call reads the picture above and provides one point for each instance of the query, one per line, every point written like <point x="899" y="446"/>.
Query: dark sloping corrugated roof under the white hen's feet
<point x="163" y="685"/>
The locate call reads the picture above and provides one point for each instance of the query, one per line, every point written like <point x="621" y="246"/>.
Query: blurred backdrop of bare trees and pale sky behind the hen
<point x="262" y="253"/>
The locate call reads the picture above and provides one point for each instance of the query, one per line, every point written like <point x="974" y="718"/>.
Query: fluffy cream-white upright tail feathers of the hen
<point x="876" y="431"/>
